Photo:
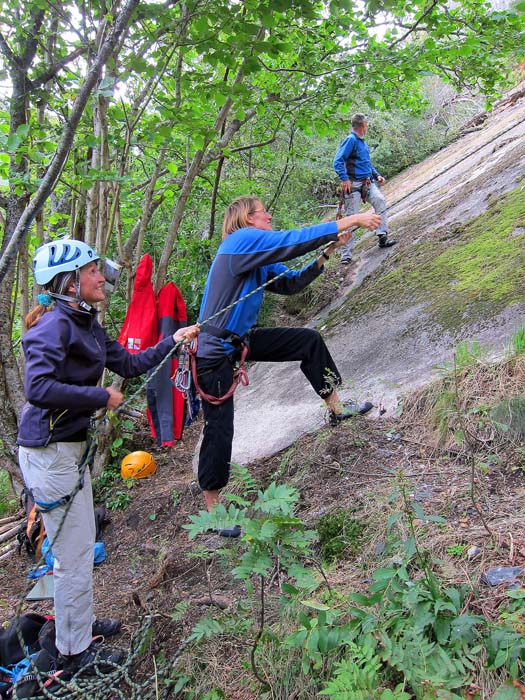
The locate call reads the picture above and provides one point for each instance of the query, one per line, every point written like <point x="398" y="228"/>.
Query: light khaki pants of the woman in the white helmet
<point x="52" y="472"/>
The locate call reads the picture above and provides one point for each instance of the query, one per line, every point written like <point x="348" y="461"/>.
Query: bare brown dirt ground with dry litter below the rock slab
<point x="151" y="568"/>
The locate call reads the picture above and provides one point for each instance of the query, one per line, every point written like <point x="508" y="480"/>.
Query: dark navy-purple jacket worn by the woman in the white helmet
<point x="65" y="353"/>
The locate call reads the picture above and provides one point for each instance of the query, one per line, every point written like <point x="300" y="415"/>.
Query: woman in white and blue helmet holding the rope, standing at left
<point x="66" y="350"/>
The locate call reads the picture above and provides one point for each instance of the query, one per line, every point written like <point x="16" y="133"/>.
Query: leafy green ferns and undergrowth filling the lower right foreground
<point x="409" y="636"/>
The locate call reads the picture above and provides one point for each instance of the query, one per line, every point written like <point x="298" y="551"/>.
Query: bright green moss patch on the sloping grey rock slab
<point x="464" y="275"/>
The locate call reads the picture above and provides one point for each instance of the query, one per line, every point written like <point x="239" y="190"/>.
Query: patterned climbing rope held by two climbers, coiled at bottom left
<point x="119" y="680"/>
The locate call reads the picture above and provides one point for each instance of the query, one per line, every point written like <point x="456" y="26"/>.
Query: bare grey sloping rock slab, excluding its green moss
<point x="376" y="351"/>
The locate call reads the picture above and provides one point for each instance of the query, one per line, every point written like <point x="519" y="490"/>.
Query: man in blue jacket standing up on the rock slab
<point x="358" y="177"/>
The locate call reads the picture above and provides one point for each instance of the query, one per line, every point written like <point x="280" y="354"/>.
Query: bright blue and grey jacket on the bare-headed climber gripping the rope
<point x="245" y="260"/>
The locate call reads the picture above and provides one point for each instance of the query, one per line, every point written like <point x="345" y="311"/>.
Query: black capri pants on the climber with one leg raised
<point x="266" y="345"/>
